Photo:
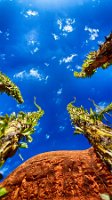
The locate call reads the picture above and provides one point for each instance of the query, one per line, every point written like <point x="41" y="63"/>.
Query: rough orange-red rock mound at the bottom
<point x="60" y="175"/>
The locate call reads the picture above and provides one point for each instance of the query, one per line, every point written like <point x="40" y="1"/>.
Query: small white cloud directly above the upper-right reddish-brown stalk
<point x="93" y="33"/>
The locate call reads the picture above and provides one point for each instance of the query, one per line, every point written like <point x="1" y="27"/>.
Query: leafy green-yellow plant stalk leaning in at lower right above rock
<point x="98" y="133"/>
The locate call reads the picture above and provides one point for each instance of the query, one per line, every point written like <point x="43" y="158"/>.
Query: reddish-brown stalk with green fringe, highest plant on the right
<point x="100" y="58"/>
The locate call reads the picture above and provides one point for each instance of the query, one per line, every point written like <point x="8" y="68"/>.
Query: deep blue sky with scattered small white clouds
<point x="41" y="44"/>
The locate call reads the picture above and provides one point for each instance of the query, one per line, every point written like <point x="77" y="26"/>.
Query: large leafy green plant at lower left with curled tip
<point x="15" y="132"/>
